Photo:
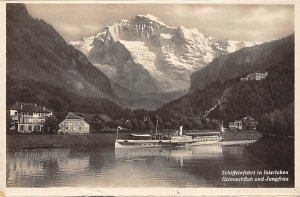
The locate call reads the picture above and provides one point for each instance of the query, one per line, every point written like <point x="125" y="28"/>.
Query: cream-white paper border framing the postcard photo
<point x="79" y="191"/>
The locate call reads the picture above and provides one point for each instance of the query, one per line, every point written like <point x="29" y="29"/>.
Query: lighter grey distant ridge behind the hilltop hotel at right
<point x="257" y="58"/>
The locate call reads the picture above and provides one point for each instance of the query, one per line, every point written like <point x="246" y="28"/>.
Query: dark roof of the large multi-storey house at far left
<point x="29" y="107"/>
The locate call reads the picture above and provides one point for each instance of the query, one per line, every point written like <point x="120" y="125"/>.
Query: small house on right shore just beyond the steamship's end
<point x="246" y="123"/>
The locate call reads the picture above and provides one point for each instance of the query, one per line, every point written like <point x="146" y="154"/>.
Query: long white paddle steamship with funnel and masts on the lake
<point x="149" y="141"/>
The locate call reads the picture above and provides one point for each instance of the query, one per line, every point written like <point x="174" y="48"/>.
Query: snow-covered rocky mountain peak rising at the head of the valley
<point x="146" y="55"/>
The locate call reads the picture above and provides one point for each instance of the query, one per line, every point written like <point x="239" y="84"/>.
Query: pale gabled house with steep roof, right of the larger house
<point x="74" y="124"/>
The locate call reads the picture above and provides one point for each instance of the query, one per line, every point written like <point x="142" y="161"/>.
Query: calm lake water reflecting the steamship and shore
<point x="199" y="166"/>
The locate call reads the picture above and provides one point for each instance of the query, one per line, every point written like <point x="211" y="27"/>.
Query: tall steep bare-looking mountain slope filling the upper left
<point x="37" y="52"/>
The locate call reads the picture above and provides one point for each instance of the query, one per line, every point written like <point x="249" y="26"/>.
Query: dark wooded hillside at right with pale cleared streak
<point x="233" y="99"/>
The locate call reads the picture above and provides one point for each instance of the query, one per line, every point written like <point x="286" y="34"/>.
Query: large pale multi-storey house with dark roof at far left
<point x="29" y="117"/>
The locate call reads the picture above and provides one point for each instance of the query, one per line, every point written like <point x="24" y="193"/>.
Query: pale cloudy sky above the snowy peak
<point x="236" y="22"/>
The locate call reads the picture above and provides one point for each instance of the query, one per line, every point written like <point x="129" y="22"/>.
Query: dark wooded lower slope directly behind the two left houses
<point x="58" y="99"/>
